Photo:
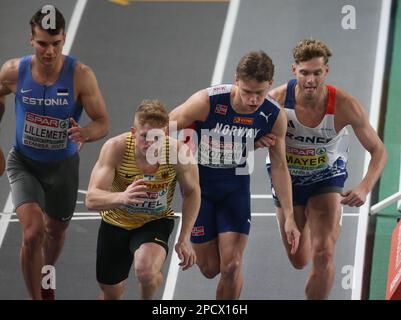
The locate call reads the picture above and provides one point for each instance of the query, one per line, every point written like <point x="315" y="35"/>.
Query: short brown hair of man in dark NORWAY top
<point x="255" y="65"/>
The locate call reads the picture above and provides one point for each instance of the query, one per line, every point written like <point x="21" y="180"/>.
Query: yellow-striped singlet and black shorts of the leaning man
<point x="133" y="225"/>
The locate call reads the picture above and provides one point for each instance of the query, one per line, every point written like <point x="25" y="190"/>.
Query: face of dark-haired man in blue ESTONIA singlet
<point x="48" y="48"/>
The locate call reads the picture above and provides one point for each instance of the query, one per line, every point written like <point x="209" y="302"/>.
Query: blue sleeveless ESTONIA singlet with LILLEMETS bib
<point x="43" y="112"/>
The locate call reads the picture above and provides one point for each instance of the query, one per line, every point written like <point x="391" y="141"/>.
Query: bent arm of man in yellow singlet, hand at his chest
<point x="99" y="196"/>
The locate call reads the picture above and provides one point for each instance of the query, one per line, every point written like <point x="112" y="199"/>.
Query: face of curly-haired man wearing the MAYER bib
<point x="311" y="76"/>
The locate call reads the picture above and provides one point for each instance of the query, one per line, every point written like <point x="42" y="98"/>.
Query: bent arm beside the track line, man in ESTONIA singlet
<point x="89" y="95"/>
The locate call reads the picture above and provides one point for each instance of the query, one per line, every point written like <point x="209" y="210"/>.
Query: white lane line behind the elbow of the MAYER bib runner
<point x="375" y="103"/>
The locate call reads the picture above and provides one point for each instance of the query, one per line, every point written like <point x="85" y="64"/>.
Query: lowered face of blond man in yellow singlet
<point x="147" y="136"/>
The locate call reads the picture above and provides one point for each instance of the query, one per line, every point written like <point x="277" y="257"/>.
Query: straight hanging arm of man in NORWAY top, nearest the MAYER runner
<point x="282" y="180"/>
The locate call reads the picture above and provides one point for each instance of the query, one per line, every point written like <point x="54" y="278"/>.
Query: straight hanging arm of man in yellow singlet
<point x="188" y="178"/>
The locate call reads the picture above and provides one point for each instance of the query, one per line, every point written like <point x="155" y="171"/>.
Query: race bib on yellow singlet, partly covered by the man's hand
<point x="155" y="203"/>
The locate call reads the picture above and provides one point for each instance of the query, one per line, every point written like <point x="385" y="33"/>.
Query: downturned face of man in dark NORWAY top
<point x="252" y="93"/>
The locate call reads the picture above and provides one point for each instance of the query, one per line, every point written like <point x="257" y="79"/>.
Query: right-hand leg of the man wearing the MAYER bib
<point x="324" y="215"/>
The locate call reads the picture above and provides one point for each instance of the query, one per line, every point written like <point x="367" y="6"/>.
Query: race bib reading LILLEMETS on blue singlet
<point x="43" y="132"/>
